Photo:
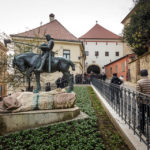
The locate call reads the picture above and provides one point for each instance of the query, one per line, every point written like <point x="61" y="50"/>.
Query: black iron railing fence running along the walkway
<point x="131" y="106"/>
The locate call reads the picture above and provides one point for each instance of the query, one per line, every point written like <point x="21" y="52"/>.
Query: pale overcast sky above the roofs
<point x="78" y="16"/>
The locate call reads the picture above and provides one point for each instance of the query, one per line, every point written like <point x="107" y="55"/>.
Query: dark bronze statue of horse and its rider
<point x="30" y="62"/>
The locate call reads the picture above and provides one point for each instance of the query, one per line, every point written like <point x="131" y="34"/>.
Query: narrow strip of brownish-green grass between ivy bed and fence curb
<point x="110" y="136"/>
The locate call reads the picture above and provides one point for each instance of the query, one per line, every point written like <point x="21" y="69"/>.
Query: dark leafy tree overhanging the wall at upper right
<point x="137" y="32"/>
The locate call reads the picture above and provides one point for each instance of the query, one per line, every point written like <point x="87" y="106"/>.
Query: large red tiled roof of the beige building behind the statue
<point x="54" y="28"/>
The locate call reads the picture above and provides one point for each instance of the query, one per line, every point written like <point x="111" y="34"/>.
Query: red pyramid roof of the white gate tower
<point x="99" y="32"/>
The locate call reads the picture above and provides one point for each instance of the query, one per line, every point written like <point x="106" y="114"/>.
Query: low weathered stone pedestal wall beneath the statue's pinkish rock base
<point x="11" y="122"/>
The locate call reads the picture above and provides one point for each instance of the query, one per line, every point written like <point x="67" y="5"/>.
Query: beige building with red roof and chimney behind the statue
<point x="65" y="45"/>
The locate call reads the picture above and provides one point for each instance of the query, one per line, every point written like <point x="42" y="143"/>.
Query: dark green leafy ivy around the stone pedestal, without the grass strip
<point x="75" y="135"/>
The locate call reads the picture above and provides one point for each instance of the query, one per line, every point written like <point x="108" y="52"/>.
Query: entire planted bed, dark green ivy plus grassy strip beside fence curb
<point x="94" y="133"/>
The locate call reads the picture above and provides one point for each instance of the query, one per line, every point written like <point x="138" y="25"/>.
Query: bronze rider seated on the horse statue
<point x="47" y="53"/>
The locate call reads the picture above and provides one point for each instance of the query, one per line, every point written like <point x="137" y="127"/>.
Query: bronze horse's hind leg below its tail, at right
<point x="68" y="76"/>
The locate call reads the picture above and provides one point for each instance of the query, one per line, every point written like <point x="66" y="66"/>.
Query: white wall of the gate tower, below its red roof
<point x="102" y="46"/>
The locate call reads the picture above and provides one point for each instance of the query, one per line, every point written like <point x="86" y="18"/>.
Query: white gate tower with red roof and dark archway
<point x="101" y="48"/>
